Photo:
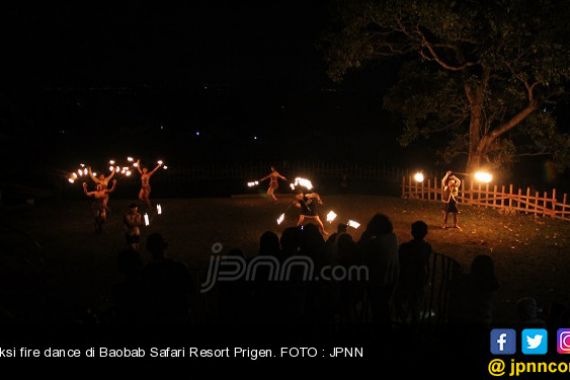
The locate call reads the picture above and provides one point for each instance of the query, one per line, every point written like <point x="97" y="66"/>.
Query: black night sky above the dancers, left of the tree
<point x="197" y="81"/>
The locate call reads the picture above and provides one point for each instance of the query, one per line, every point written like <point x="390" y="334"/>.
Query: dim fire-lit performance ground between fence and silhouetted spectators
<point x="76" y="266"/>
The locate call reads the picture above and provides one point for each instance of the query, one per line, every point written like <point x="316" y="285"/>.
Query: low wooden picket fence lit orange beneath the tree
<point x="504" y="197"/>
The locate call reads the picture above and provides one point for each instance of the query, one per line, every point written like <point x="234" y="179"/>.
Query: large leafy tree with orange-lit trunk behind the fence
<point x="486" y="75"/>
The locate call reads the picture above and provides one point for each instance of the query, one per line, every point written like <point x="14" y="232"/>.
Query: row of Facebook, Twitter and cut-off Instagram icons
<point x="533" y="341"/>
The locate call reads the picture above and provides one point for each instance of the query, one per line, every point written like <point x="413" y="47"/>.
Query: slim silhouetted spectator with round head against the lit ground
<point x="414" y="268"/>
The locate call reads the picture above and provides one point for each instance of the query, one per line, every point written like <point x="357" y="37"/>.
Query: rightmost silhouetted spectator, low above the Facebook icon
<point x="472" y="295"/>
